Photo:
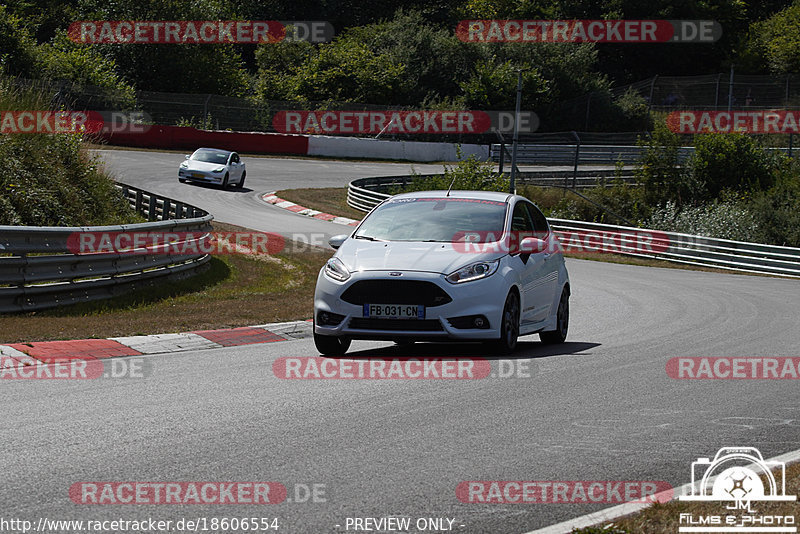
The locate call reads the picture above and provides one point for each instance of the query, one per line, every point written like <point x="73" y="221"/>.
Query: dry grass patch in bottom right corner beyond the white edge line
<point x="665" y="518"/>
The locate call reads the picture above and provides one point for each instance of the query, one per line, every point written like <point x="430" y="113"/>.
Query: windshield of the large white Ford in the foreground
<point x="433" y="219"/>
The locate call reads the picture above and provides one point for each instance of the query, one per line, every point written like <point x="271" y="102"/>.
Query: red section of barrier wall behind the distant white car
<point x="185" y="138"/>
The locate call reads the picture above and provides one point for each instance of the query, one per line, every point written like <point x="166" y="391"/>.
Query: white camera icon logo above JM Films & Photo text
<point x="738" y="474"/>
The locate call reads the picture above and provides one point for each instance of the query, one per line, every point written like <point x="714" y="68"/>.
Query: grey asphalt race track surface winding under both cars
<point x="599" y="407"/>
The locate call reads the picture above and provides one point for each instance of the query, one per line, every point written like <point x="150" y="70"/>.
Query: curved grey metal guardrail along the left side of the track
<point x="39" y="268"/>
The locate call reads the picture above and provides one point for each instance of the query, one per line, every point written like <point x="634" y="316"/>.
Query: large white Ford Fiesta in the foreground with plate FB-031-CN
<point x="433" y="265"/>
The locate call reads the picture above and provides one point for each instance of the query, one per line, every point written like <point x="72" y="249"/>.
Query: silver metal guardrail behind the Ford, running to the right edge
<point x="366" y="193"/>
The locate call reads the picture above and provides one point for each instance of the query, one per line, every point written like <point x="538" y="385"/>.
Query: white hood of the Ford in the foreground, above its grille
<point x="362" y="255"/>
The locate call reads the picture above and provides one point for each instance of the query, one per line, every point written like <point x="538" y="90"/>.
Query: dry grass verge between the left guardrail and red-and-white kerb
<point x="235" y="290"/>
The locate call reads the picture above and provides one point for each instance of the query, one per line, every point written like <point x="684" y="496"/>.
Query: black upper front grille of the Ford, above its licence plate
<point x="396" y="292"/>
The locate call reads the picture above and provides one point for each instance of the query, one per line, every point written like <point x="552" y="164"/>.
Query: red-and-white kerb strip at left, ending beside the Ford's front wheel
<point x="23" y="354"/>
